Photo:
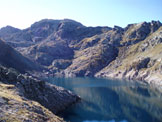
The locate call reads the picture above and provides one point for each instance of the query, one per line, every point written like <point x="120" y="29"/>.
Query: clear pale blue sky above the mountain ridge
<point x="22" y="13"/>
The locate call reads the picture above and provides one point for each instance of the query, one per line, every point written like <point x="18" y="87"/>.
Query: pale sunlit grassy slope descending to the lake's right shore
<point x="141" y="61"/>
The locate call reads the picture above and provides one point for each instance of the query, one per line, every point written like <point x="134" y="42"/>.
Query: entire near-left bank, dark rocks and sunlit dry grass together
<point x="25" y="99"/>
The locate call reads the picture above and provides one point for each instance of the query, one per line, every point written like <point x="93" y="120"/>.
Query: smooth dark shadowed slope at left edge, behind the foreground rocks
<point x="11" y="58"/>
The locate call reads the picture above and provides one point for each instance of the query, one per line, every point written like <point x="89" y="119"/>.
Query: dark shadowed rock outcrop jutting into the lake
<point x="53" y="97"/>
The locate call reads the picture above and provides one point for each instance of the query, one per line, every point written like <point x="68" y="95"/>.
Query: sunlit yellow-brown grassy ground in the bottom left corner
<point x="14" y="108"/>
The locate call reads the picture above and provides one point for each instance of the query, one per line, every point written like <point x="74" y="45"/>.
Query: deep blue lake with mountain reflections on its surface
<point x="106" y="100"/>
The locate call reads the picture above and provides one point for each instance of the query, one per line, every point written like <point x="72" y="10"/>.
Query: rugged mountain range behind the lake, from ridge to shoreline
<point x="68" y="48"/>
